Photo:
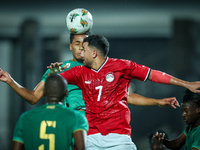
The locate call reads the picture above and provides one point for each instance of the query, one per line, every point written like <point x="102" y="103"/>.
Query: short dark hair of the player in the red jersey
<point x="98" y="41"/>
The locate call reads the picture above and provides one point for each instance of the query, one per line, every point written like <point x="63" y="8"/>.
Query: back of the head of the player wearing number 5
<point x="55" y="86"/>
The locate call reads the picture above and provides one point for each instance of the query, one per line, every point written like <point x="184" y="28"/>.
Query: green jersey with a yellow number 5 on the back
<point x="49" y="126"/>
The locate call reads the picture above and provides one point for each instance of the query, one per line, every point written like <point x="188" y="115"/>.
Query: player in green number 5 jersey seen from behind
<point x="51" y="126"/>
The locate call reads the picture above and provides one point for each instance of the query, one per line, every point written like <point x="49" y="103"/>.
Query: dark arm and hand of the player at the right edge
<point x="171" y="144"/>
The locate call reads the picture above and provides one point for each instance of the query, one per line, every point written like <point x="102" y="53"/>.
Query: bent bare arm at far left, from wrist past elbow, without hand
<point x="31" y="97"/>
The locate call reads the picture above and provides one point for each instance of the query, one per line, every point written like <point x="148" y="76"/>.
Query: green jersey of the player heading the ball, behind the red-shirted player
<point x="74" y="99"/>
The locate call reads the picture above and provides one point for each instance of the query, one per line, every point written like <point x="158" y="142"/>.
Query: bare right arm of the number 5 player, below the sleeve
<point x="80" y="139"/>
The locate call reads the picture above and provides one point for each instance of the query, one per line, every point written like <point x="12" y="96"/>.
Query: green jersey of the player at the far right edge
<point x="192" y="137"/>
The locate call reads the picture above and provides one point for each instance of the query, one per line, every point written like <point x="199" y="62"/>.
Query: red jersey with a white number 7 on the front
<point x="105" y="92"/>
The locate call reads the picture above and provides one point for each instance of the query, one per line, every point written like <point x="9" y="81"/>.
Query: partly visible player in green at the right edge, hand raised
<point x="190" y="137"/>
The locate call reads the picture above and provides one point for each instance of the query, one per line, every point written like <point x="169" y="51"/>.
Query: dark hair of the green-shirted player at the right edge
<point x="191" y="97"/>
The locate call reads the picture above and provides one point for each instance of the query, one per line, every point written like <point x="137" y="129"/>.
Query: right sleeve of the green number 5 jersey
<point x="81" y="122"/>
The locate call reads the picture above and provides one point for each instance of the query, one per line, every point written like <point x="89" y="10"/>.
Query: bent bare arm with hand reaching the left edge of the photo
<point x="30" y="96"/>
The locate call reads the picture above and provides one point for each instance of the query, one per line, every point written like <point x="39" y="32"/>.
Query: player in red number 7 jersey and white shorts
<point x="104" y="82"/>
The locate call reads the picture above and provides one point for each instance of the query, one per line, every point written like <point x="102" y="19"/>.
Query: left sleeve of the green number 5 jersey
<point x="18" y="131"/>
